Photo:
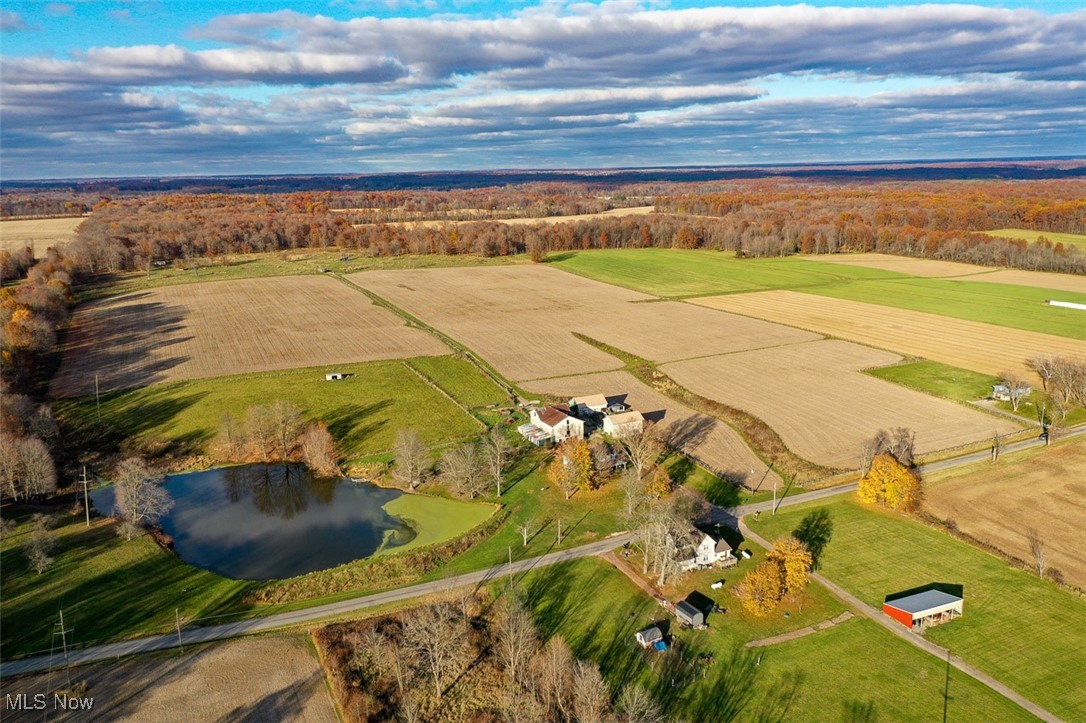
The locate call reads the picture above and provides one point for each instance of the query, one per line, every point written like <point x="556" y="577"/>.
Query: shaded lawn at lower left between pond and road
<point x="108" y="588"/>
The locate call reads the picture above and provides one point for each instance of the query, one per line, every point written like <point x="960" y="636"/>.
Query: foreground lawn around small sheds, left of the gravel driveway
<point x="842" y="674"/>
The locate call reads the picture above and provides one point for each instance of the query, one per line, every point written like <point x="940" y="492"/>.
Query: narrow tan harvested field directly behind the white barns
<point x="714" y="445"/>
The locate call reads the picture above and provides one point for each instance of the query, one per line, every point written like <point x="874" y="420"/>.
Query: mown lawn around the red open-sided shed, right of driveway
<point x="1025" y="632"/>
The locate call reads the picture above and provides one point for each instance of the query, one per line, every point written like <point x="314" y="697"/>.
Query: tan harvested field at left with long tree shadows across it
<point x="223" y="328"/>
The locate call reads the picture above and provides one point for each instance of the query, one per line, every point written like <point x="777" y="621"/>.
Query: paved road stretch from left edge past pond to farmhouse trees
<point x="195" y="636"/>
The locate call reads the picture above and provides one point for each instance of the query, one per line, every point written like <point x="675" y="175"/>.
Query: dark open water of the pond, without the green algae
<point x="273" y="522"/>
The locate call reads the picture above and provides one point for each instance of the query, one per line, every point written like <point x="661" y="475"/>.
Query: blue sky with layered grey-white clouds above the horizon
<point x="179" y="88"/>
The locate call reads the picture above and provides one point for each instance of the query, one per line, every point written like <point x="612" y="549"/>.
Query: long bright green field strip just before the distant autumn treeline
<point x="686" y="274"/>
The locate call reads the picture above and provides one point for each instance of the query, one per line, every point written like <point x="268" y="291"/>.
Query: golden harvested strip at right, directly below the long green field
<point x="968" y="345"/>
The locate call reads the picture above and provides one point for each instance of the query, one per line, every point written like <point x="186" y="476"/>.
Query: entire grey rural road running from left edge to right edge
<point x="196" y="636"/>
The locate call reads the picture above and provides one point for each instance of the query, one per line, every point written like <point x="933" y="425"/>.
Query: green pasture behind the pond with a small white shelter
<point x="363" y="413"/>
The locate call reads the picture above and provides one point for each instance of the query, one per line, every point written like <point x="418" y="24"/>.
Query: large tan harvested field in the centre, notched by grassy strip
<point x="522" y="320"/>
